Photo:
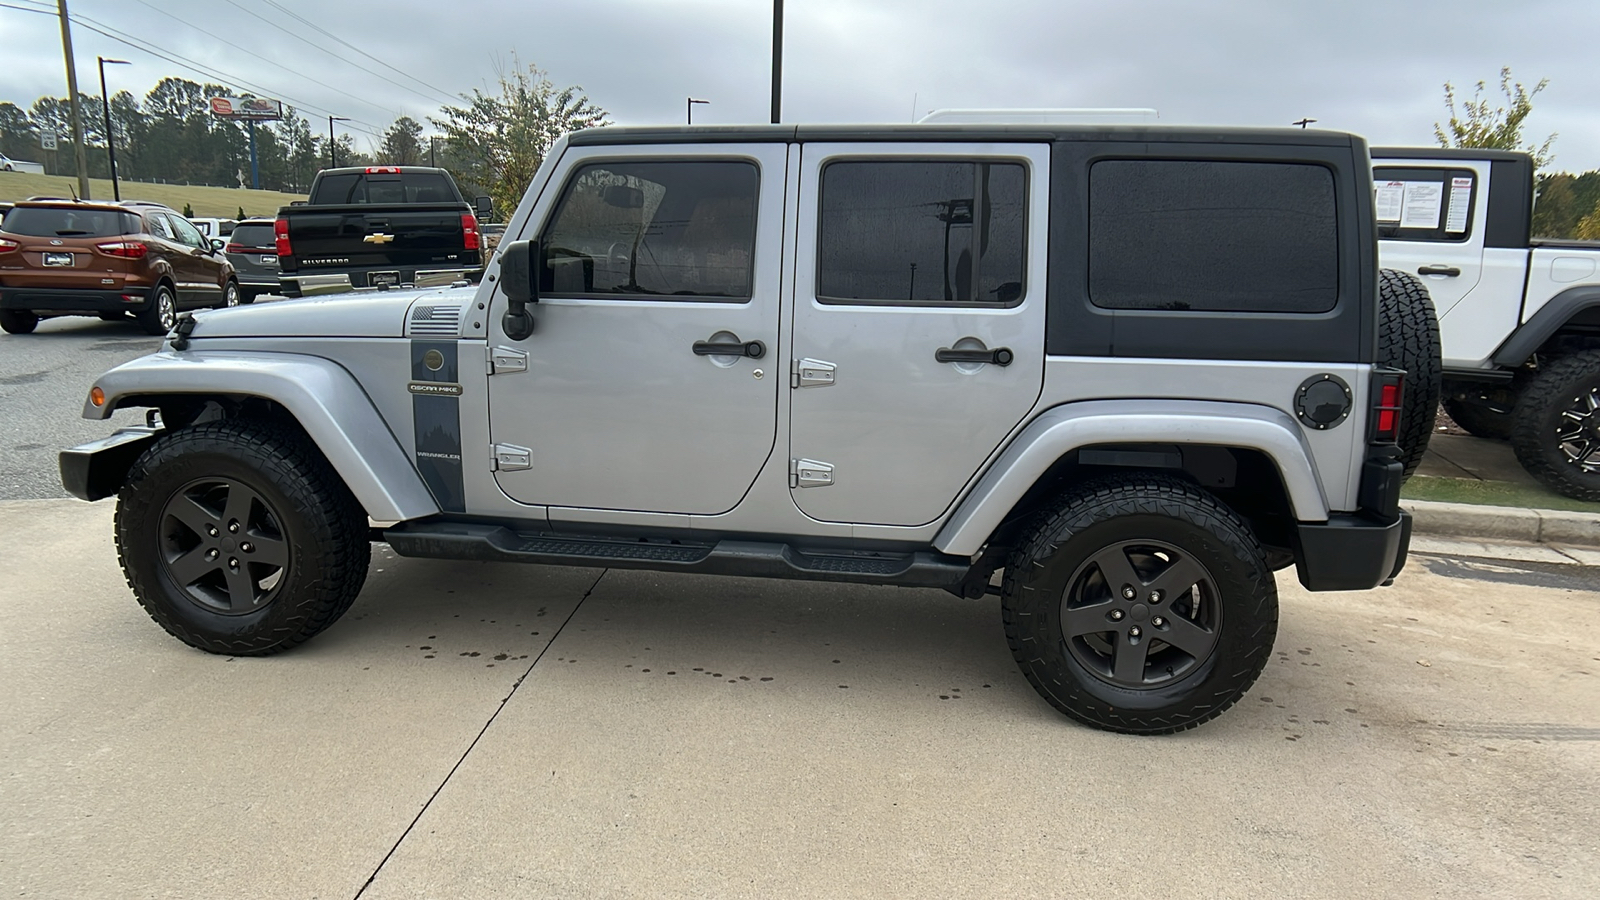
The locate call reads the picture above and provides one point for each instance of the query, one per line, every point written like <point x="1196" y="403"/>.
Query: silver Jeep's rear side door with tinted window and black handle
<point x="919" y="323"/>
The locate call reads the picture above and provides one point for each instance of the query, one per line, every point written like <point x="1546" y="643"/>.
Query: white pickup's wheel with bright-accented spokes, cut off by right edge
<point x="1561" y="401"/>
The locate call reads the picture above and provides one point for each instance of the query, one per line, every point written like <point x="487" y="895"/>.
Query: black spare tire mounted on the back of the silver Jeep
<point x="1409" y="339"/>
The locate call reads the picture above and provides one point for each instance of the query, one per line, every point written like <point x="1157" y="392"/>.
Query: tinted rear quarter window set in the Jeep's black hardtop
<point x="1214" y="236"/>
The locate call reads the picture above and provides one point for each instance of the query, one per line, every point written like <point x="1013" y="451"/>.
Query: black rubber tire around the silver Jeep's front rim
<point x="318" y="518"/>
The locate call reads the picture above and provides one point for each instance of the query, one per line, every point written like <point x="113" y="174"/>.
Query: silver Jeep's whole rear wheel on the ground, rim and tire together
<point x="1140" y="605"/>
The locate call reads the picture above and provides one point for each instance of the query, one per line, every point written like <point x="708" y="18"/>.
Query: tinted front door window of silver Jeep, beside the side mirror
<point x="654" y="228"/>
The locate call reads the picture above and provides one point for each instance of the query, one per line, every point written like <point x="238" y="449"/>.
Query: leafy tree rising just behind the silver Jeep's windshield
<point x="497" y="142"/>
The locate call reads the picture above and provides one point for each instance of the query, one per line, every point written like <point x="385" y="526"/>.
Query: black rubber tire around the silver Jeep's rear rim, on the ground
<point x="1126" y="510"/>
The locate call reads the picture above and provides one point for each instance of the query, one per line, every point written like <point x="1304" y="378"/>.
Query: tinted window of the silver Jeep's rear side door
<point x="922" y="231"/>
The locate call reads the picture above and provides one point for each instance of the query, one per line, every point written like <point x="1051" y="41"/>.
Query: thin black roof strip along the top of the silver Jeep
<point x="948" y="132"/>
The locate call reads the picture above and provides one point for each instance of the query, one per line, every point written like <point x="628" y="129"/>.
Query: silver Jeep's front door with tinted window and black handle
<point x="649" y="382"/>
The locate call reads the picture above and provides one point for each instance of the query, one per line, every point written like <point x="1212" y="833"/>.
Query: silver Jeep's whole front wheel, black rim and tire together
<point x="239" y="539"/>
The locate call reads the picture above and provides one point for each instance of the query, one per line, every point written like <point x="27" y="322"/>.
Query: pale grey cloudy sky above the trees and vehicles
<point x="1367" y="66"/>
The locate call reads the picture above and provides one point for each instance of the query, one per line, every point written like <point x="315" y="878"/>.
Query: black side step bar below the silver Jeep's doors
<point x="497" y="544"/>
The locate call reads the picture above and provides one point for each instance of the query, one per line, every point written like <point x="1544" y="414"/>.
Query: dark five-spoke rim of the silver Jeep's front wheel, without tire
<point x="223" y="545"/>
